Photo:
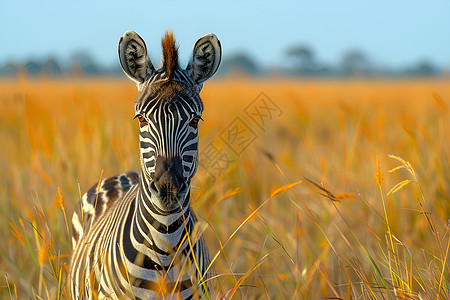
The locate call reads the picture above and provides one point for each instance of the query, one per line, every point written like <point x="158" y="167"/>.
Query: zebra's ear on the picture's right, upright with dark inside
<point x="205" y="59"/>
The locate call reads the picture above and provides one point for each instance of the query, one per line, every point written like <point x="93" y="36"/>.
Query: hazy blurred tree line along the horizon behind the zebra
<point x="299" y="61"/>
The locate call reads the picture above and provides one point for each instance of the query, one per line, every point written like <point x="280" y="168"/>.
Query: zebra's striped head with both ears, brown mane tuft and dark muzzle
<point x="169" y="109"/>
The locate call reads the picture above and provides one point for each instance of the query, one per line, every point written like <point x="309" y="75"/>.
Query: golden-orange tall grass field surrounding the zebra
<point x="321" y="189"/>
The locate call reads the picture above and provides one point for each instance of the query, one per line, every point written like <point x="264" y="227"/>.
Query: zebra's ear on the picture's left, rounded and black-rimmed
<point x="133" y="57"/>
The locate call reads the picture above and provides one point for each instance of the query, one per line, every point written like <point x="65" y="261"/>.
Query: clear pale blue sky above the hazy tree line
<point x="392" y="33"/>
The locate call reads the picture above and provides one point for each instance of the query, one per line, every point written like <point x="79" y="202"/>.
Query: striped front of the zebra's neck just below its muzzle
<point x="163" y="232"/>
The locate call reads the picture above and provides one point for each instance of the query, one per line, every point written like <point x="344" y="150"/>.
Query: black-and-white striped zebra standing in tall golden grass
<point x="134" y="235"/>
